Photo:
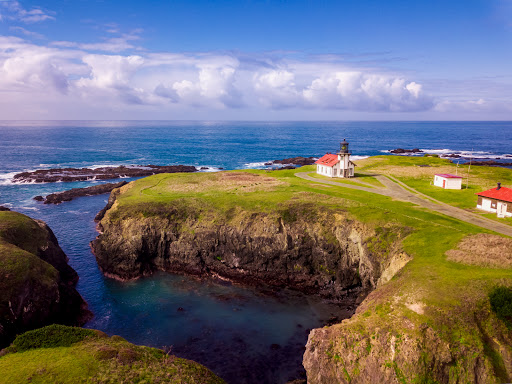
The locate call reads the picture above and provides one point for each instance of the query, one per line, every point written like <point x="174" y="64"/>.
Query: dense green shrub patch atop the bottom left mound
<point x="51" y="336"/>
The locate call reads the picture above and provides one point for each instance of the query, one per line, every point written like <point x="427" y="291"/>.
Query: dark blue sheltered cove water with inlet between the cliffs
<point x="244" y="334"/>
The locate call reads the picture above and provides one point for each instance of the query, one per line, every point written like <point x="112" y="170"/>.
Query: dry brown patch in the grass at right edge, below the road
<point x="483" y="250"/>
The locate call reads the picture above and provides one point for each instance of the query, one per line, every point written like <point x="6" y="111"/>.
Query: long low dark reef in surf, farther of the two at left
<point x="103" y="173"/>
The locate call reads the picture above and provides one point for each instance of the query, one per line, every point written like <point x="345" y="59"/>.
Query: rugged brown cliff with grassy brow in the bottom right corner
<point x="389" y="342"/>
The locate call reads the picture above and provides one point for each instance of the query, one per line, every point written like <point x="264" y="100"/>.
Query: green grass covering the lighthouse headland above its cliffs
<point x="451" y="293"/>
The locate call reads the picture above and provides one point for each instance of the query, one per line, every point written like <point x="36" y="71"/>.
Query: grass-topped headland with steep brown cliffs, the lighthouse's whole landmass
<point x="425" y="310"/>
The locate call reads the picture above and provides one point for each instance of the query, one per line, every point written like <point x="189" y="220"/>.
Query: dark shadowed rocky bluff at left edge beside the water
<point x="37" y="286"/>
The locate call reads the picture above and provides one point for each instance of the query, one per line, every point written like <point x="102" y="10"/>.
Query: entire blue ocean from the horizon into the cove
<point x="246" y="335"/>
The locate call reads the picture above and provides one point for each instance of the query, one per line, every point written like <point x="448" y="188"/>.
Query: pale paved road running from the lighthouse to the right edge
<point x="395" y="190"/>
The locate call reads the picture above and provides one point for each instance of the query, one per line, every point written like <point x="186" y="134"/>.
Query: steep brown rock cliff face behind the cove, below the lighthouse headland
<point x="305" y="247"/>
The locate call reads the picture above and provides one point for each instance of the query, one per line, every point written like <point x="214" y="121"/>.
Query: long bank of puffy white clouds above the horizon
<point x="198" y="80"/>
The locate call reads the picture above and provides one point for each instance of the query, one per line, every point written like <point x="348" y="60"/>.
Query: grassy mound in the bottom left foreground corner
<point x="74" y="355"/>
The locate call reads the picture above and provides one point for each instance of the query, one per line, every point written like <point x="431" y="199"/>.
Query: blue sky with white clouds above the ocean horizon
<point x="256" y="60"/>
